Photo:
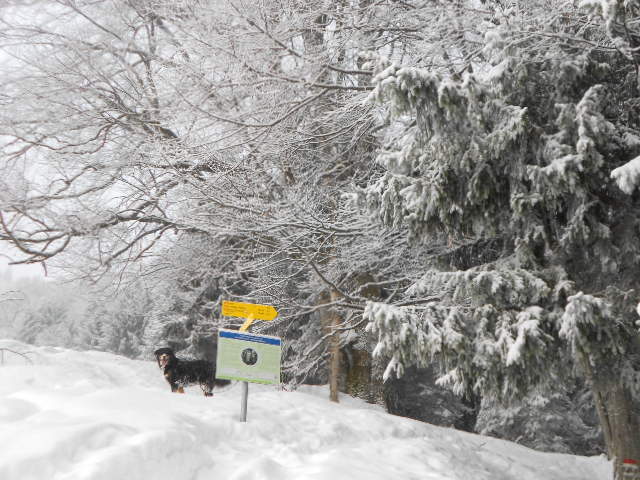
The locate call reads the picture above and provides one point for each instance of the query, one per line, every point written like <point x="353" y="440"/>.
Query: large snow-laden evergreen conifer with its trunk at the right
<point x="521" y="153"/>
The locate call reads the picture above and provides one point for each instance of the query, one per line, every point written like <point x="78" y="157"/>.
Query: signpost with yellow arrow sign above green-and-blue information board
<point x="248" y="357"/>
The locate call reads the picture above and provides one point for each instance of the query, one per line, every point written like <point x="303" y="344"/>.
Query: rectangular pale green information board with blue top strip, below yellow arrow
<point x="248" y="357"/>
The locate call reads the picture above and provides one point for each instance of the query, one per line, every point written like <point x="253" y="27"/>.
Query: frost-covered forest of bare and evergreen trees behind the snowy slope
<point x="439" y="197"/>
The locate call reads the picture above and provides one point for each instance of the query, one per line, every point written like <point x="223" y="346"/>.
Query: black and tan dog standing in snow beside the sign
<point x="180" y="373"/>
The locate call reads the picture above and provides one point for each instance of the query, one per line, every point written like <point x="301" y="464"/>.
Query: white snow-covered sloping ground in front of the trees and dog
<point x="91" y="415"/>
